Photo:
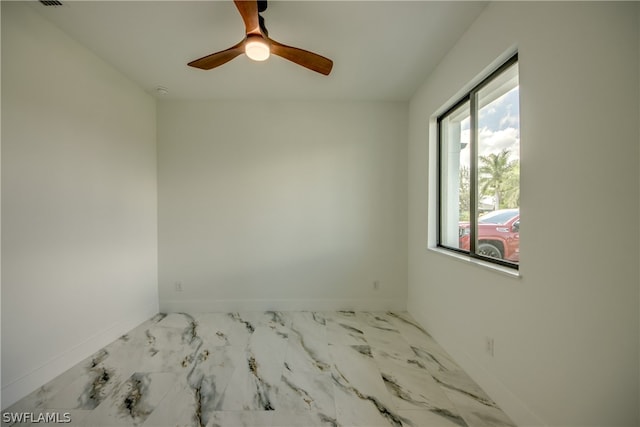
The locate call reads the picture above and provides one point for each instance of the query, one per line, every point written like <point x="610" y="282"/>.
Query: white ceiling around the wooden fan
<point x="382" y="50"/>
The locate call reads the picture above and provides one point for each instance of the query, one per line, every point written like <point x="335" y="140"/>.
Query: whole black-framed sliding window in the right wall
<point x="479" y="170"/>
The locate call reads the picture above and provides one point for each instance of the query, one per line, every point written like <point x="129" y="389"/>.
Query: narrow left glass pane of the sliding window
<point x="454" y="178"/>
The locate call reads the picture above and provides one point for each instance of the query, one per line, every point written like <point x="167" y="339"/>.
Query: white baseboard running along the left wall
<point x="21" y="387"/>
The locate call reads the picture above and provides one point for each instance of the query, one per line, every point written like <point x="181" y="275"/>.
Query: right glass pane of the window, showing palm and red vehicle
<point x="498" y="198"/>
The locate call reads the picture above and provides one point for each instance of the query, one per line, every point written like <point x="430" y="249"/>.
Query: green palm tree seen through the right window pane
<point x="496" y="175"/>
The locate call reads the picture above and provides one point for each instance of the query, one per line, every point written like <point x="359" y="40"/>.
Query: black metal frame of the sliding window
<point x="470" y="97"/>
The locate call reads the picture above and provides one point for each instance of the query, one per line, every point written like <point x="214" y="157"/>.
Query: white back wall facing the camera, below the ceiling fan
<point x="282" y="205"/>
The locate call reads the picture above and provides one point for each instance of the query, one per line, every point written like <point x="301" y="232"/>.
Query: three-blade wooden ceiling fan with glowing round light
<point x="258" y="46"/>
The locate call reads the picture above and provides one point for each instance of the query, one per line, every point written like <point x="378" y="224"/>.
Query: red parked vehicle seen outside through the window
<point x="498" y="235"/>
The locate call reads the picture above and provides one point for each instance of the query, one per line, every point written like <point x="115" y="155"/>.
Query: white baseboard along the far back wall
<point x="225" y="306"/>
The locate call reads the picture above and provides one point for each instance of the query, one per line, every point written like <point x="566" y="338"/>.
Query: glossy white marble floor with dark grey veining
<point x="299" y="369"/>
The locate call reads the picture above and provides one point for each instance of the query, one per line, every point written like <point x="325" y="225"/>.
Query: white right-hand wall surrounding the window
<point x="566" y="331"/>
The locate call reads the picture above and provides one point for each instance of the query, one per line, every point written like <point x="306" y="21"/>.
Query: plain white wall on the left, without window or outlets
<point x="79" y="218"/>
